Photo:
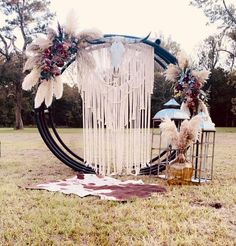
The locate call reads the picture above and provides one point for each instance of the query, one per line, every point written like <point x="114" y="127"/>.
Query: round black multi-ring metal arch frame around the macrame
<point x="53" y="140"/>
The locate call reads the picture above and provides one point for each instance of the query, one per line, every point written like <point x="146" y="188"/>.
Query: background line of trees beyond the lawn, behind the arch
<point x="217" y="53"/>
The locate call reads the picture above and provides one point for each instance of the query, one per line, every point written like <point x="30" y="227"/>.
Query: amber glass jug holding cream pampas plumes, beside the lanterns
<point x="180" y="170"/>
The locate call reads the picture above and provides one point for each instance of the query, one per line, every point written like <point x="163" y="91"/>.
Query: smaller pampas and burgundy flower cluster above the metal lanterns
<point x="188" y="83"/>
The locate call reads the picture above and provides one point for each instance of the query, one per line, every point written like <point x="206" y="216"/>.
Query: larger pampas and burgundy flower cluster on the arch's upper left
<point x="48" y="55"/>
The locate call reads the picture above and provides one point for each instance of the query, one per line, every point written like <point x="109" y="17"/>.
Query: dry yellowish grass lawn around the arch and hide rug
<point x="184" y="215"/>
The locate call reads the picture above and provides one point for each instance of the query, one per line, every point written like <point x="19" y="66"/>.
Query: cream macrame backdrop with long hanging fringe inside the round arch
<point x="116" y="107"/>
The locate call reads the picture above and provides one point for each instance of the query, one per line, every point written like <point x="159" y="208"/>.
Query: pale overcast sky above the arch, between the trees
<point x="176" y="18"/>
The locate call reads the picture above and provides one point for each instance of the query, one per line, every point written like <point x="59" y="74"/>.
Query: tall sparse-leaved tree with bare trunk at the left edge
<point x="23" y="20"/>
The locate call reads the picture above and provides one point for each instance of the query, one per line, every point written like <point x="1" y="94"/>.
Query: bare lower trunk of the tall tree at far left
<point x="18" y="106"/>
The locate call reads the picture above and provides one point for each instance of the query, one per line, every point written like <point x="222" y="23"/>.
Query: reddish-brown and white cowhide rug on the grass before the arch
<point x="105" y="187"/>
